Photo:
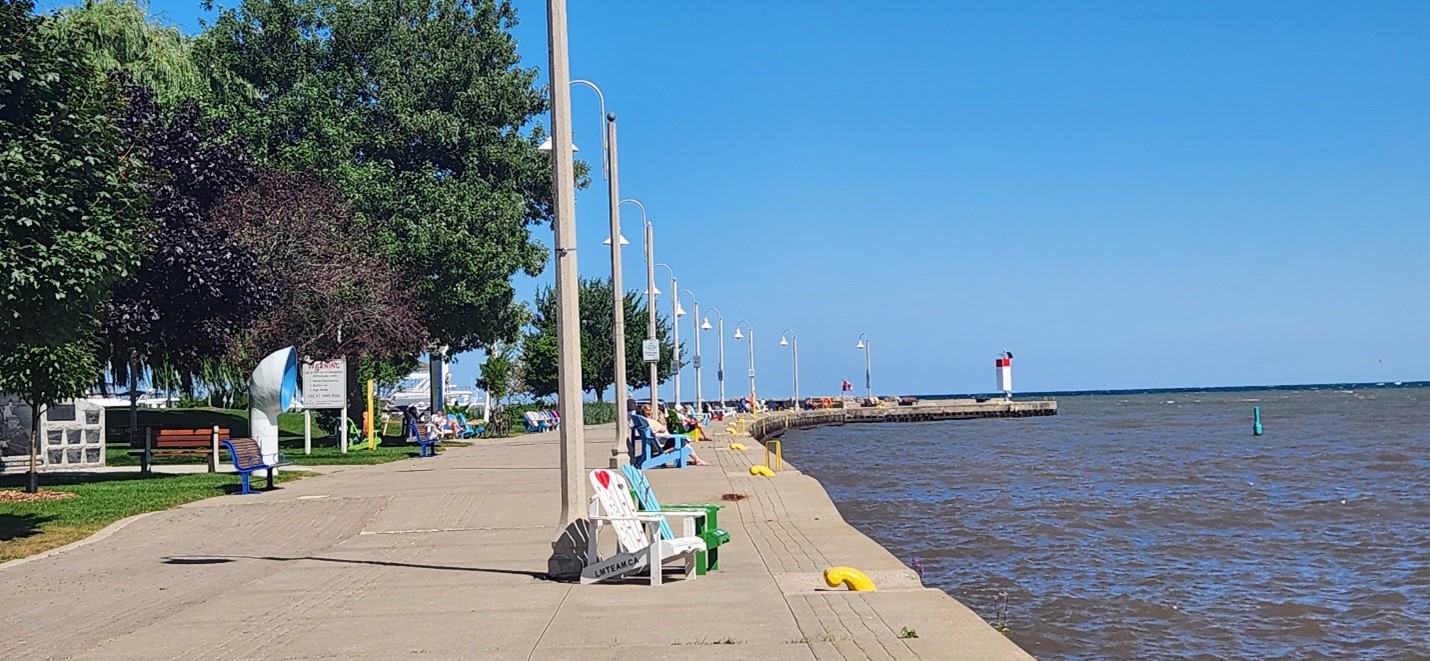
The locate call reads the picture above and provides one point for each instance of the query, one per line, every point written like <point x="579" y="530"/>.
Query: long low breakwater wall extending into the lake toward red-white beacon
<point x="950" y="410"/>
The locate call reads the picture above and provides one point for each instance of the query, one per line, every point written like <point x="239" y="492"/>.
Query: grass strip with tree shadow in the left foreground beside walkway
<point x="28" y="529"/>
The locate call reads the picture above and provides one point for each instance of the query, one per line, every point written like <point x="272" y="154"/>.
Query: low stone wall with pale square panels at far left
<point x="72" y="436"/>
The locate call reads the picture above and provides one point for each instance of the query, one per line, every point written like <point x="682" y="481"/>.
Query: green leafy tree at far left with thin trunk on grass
<point x="69" y="214"/>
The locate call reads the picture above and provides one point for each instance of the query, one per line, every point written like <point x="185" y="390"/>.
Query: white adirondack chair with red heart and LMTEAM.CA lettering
<point x="638" y="534"/>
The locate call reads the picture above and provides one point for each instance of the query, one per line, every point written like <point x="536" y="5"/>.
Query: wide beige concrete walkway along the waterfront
<point x="445" y="559"/>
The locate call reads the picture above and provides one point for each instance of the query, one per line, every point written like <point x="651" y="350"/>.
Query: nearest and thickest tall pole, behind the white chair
<point x="568" y="313"/>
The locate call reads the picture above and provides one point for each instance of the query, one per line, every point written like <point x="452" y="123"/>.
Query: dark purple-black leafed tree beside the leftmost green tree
<point x="199" y="288"/>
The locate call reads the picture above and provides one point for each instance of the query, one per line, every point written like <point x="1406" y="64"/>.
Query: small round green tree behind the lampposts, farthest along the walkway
<point x="597" y="350"/>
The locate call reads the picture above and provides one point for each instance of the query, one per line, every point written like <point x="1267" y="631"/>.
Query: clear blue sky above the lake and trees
<point x="1126" y="195"/>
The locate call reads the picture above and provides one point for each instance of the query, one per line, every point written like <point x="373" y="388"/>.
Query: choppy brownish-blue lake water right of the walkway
<point x="1156" y="526"/>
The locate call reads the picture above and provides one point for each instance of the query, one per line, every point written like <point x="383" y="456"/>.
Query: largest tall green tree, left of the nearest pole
<point x="415" y="111"/>
